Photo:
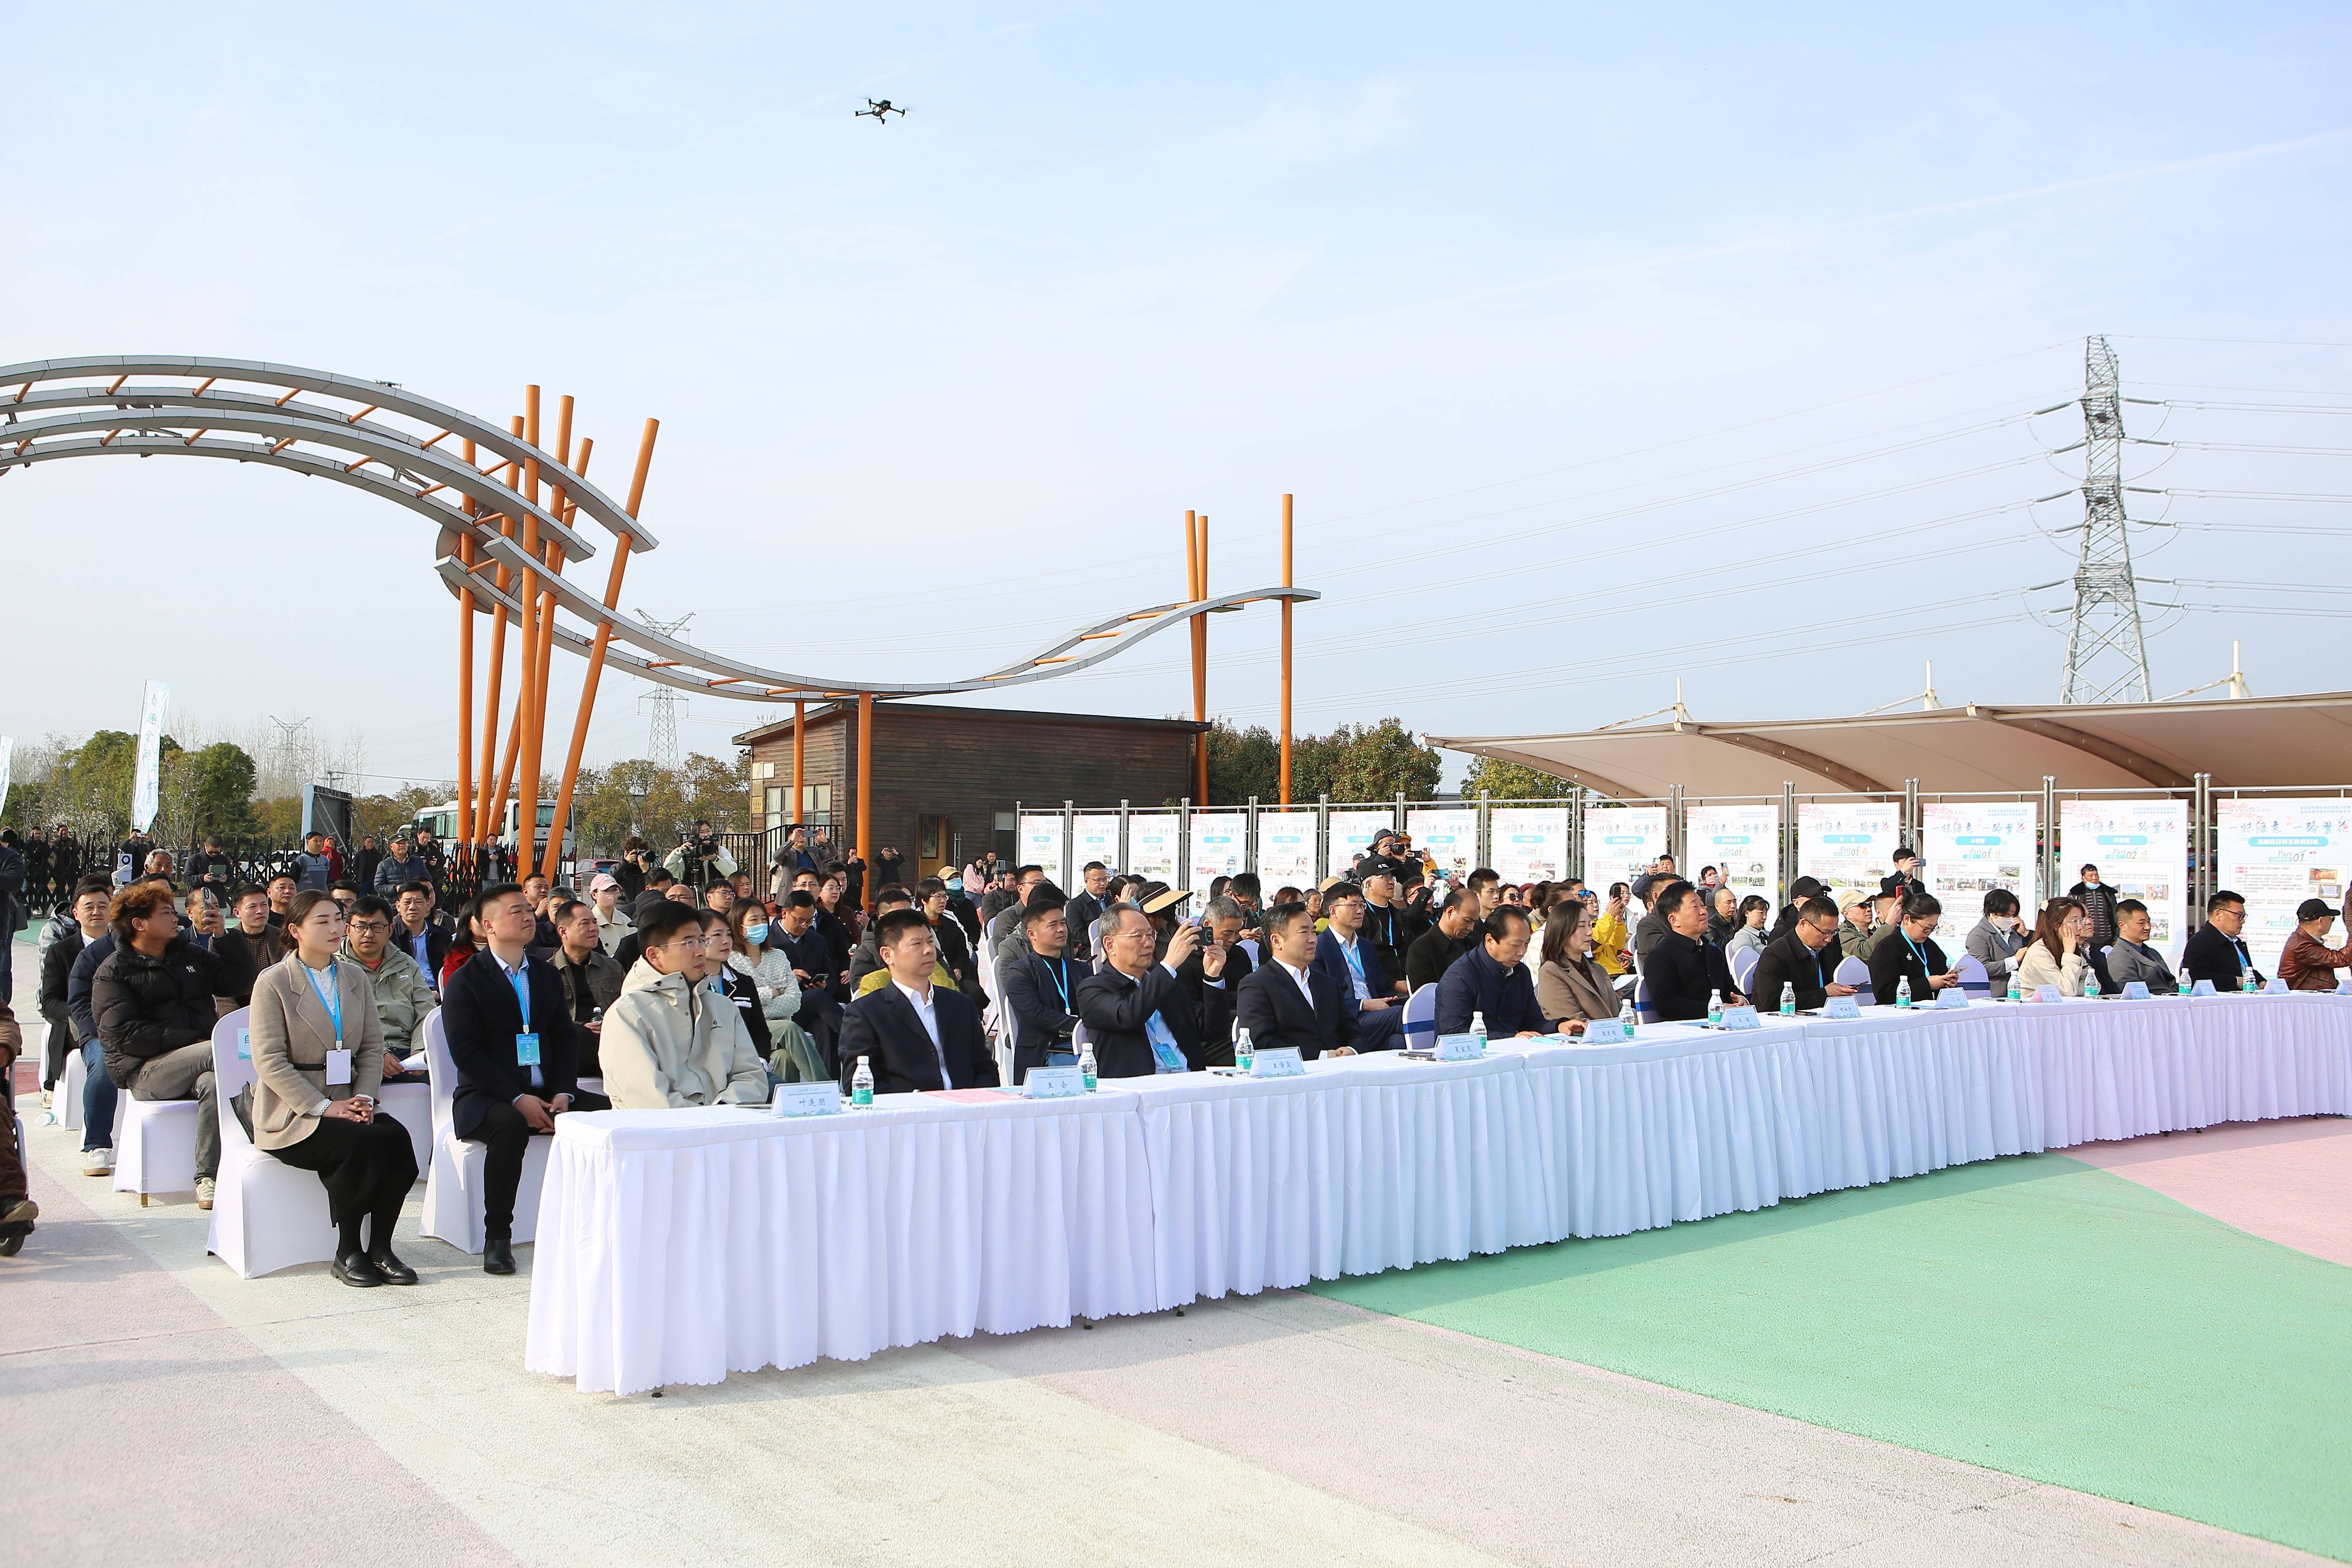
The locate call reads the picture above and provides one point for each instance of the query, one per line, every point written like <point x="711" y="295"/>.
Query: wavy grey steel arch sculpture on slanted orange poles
<point x="500" y="549"/>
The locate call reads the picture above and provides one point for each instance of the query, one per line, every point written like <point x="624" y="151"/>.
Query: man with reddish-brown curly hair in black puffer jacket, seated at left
<point x="154" y="1010"/>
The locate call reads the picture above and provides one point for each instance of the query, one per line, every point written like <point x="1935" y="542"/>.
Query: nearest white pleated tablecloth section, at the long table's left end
<point x="681" y="1247"/>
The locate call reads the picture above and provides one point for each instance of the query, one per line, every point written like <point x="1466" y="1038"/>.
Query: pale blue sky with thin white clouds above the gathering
<point x="1598" y="344"/>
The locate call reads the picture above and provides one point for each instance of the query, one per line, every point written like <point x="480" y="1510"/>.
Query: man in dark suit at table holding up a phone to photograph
<point x="1142" y="1017"/>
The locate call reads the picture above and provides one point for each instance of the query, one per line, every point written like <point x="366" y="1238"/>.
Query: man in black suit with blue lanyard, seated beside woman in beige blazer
<point x="516" y="1052"/>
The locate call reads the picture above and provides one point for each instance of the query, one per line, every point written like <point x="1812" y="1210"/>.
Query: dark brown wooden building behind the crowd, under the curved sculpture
<point x="947" y="779"/>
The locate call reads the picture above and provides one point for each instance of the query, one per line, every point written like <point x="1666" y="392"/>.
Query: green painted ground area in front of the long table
<point x="2031" y="1315"/>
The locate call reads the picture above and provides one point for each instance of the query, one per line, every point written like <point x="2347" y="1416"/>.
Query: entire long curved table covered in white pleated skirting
<point x="676" y="1247"/>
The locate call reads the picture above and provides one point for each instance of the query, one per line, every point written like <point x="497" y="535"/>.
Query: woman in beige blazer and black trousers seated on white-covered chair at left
<point x="319" y="1059"/>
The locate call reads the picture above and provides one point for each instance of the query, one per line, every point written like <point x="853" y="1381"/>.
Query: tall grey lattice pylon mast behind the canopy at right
<point x="2106" y="659"/>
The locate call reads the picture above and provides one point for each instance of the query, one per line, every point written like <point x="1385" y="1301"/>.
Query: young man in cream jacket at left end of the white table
<point x="667" y="1040"/>
